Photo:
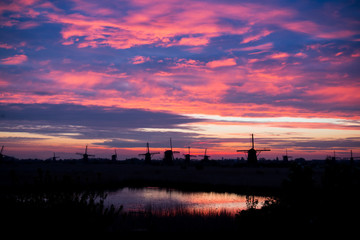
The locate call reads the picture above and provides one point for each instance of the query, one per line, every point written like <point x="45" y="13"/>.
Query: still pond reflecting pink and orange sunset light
<point x="170" y="201"/>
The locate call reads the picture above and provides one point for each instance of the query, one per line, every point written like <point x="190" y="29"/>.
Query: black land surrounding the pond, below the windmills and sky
<point x="53" y="195"/>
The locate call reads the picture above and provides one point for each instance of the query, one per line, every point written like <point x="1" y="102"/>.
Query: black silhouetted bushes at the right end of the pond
<point x="331" y="208"/>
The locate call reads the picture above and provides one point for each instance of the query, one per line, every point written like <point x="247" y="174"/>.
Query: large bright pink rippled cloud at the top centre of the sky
<point x="162" y="21"/>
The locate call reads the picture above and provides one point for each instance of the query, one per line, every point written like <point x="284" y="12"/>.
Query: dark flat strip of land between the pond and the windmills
<point x="245" y="179"/>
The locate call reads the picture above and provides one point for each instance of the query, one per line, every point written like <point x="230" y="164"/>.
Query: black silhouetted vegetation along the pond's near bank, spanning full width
<point x="62" y="206"/>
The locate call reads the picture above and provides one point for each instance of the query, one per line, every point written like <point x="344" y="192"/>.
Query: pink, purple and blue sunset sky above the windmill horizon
<point x="207" y="73"/>
